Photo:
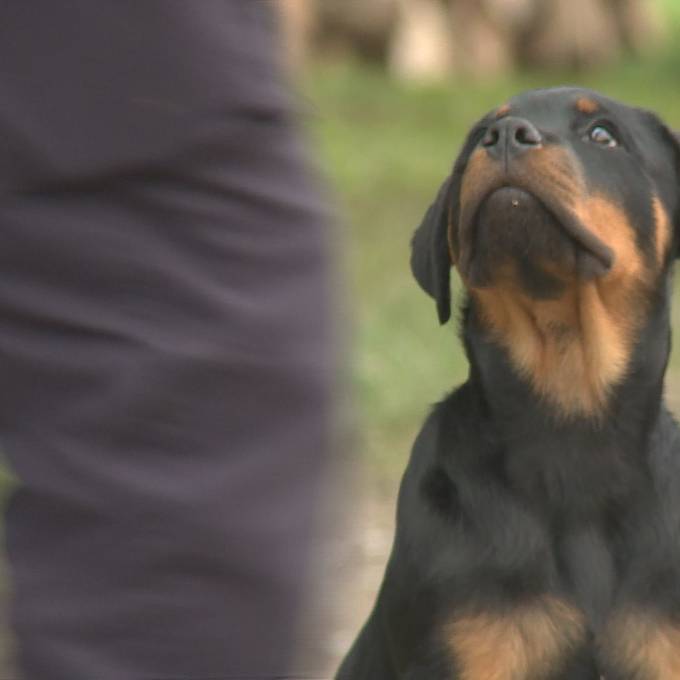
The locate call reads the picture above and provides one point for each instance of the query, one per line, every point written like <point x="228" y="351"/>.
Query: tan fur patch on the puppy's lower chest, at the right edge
<point x="642" y="645"/>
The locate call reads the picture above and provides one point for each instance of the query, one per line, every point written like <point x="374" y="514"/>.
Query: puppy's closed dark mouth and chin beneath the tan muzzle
<point x="513" y="222"/>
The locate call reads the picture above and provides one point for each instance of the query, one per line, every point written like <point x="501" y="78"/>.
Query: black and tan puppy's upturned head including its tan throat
<point x="561" y="216"/>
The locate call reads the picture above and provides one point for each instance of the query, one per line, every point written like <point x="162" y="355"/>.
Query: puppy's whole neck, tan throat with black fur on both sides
<point x="572" y="360"/>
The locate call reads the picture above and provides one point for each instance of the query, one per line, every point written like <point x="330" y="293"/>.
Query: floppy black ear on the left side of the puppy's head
<point x="430" y="259"/>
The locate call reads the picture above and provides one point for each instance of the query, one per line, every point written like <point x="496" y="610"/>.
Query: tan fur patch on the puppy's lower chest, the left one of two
<point x="529" y="642"/>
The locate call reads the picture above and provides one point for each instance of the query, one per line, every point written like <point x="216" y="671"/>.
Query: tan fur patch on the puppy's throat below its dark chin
<point x="576" y="350"/>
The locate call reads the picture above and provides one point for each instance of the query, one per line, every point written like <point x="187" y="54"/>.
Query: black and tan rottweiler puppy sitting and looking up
<point x="538" y="522"/>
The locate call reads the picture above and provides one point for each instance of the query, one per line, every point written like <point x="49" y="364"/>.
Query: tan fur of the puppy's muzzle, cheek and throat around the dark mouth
<point x="572" y="350"/>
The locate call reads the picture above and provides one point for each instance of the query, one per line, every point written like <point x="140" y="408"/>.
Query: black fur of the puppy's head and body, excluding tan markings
<point x="503" y="501"/>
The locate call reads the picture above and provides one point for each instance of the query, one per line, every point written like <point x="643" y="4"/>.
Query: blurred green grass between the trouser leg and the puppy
<point x="385" y="147"/>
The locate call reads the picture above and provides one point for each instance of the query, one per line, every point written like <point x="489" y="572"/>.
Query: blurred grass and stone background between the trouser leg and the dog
<point x="388" y="89"/>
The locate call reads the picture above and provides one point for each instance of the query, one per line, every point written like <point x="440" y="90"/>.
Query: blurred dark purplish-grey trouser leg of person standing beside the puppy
<point x="163" y="340"/>
